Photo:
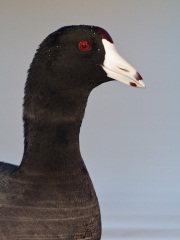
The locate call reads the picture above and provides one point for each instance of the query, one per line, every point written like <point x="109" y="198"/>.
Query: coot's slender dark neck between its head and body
<point x="52" y="124"/>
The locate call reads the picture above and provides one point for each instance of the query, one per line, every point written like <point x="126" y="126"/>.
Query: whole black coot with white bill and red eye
<point x="50" y="195"/>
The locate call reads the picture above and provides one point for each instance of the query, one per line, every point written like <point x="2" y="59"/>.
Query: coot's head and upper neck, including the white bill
<point x="69" y="63"/>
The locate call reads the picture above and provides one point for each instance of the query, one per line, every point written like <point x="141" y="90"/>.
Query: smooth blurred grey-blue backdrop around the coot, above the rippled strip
<point x="130" y="137"/>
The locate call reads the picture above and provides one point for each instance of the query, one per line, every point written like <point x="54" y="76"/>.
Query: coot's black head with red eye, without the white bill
<point x="71" y="57"/>
